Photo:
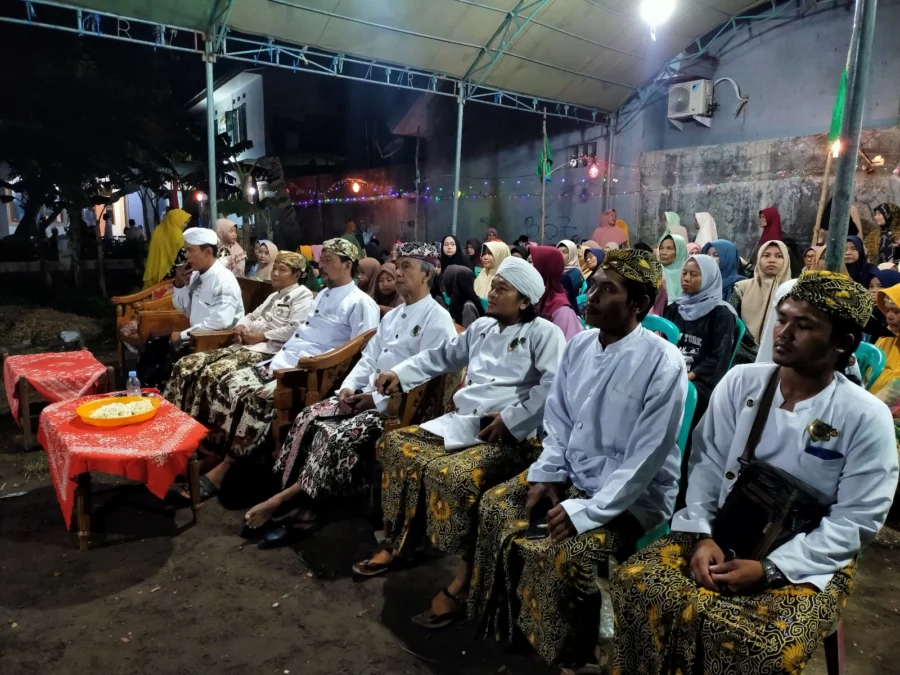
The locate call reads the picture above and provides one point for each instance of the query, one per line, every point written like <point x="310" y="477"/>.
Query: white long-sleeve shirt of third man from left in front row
<point x="337" y="315"/>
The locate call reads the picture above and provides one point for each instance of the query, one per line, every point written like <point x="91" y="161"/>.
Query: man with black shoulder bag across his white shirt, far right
<point x="820" y="429"/>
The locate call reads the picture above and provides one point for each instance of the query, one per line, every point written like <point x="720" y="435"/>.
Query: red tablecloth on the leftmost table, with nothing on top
<point x="57" y="376"/>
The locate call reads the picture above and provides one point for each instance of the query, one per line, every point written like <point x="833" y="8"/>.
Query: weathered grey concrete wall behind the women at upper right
<point x="769" y="155"/>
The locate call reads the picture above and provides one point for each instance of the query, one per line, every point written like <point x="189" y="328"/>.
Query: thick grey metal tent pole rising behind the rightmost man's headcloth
<point x="860" y="62"/>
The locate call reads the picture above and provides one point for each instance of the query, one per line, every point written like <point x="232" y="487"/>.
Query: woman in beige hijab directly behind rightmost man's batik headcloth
<point x="753" y="297"/>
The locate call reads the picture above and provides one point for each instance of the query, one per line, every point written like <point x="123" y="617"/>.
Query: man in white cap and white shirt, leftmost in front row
<point x="205" y="292"/>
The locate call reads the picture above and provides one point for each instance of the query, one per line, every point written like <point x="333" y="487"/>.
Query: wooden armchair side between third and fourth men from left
<point x="314" y="379"/>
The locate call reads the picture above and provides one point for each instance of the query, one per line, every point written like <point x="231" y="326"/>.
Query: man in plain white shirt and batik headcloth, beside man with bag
<point x="607" y="473"/>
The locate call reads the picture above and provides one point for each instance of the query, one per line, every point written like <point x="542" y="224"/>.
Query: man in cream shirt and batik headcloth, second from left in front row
<point x="257" y="336"/>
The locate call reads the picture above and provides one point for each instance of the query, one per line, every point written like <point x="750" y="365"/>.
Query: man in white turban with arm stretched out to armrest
<point x="429" y="489"/>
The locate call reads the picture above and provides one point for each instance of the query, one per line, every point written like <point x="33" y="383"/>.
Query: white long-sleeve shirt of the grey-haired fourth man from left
<point x="403" y="332"/>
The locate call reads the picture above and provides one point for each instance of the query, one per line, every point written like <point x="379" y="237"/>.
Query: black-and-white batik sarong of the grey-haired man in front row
<point x="327" y="453"/>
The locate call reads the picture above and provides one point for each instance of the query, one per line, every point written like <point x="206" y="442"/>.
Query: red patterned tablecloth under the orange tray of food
<point x="154" y="452"/>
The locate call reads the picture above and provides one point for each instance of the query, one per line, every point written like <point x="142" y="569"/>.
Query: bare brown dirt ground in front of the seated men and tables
<point x="155" y="594"/>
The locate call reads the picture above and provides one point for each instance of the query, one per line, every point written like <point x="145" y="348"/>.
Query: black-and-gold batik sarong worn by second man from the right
<point x="545" y="590"/>
